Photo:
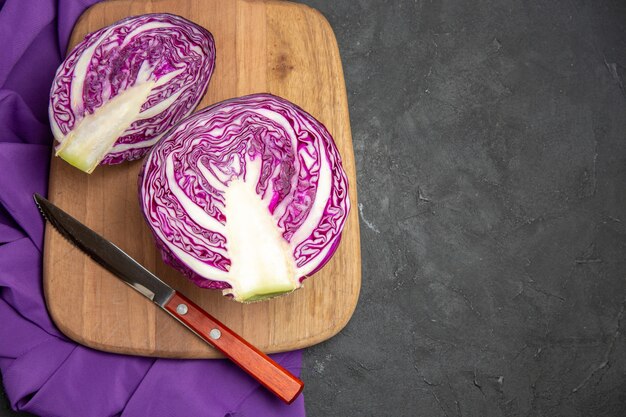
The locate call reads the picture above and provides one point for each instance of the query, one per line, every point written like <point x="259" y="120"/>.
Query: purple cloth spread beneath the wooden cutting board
<point x="44" y="372"/>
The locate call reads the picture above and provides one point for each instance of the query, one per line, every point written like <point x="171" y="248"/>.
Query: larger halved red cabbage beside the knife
<point x="247" y="195"/>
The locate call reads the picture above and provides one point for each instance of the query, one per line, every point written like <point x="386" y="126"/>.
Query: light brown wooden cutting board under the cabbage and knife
<point x="262" y="46"/>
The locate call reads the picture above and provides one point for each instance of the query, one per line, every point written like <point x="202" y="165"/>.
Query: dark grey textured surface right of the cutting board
<point x="491" y="156"/>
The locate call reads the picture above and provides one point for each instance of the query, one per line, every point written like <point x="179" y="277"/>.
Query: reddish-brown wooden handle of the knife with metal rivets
<point x="260" y="366"/>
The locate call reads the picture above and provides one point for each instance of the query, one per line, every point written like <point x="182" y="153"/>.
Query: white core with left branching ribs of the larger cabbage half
<point x="262" y="264"/>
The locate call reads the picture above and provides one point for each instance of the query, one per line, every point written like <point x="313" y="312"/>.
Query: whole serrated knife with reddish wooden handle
<point x="266" y="371"/>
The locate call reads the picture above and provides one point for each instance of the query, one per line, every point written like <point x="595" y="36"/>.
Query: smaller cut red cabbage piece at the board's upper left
<point x="125" y="85"/>
